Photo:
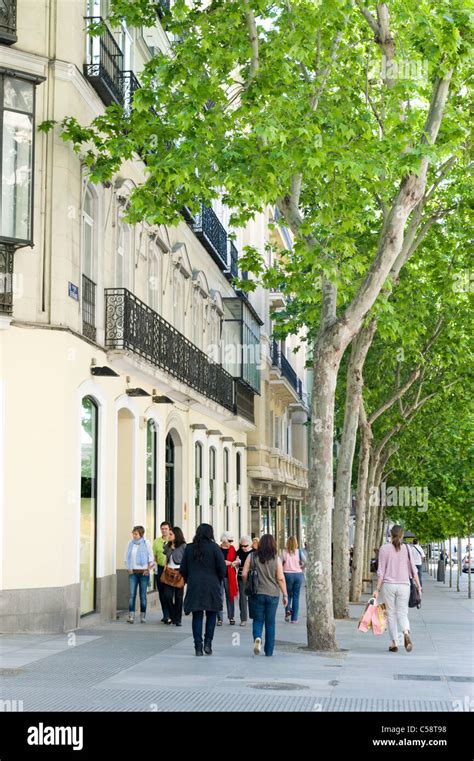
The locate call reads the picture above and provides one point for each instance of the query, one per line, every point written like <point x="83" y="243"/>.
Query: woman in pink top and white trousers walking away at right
<point x="395" y="568"/>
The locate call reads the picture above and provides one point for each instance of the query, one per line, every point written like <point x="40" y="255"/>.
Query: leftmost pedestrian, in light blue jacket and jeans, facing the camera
<point x="139" y="562"/>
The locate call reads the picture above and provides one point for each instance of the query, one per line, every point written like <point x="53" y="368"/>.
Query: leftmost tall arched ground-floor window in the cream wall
<point x="88" y="549"/>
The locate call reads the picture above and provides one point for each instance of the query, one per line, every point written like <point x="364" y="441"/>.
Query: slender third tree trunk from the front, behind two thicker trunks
<point x="358" y="556"/>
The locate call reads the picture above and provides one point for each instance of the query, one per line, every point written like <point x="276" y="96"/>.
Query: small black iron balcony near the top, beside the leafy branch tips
<point x="105" y="68"/>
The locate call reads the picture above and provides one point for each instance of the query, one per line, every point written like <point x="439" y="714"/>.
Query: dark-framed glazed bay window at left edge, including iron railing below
<point x="17" y="120"/>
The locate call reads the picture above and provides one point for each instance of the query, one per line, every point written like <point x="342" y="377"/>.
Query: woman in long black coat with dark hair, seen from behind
<point x="204" y="569"/>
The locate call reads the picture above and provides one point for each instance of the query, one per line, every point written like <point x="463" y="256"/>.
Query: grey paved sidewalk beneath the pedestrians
<point x="152" y="667"/>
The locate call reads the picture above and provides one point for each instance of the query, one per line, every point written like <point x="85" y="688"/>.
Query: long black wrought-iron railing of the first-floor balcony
<point x="132" y="325"/>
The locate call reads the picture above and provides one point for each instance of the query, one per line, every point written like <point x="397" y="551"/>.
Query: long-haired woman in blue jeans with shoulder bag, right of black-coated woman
<point x="270" y="582"/>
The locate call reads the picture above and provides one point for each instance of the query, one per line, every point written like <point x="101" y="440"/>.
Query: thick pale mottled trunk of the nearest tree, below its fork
<point x="320" y="619"/>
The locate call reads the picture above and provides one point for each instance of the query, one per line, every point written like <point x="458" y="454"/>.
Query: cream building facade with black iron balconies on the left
<point x="127" y="391"/>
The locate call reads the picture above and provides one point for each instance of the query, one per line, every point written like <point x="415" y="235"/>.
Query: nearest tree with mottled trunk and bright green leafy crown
<point x="277" y="103"/>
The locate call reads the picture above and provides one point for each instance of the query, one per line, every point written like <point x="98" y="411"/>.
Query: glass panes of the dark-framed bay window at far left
<point x="16" y="158"/>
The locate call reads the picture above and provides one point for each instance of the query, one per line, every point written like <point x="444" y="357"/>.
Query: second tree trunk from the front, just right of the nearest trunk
<point x="343" y="499"/>
